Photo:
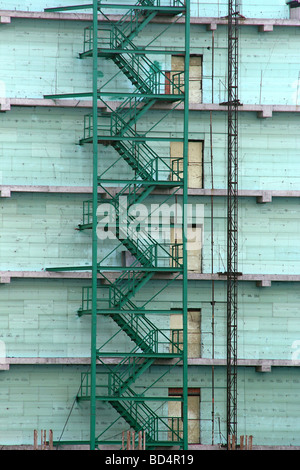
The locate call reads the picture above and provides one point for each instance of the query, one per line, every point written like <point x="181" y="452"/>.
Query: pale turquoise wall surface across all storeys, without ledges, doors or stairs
<point x="39" y="146"/>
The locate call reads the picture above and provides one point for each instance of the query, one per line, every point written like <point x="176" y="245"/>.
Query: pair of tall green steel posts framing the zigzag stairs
<point x="96" y="7"/>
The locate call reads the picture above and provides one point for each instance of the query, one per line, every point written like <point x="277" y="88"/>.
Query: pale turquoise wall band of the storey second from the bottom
<point x="39" y="319"/>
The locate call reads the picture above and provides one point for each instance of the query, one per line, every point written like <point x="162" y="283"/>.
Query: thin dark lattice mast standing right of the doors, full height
<point x="232" y="219"/>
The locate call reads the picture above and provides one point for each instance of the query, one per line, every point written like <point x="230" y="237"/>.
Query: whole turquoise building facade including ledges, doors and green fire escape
<point x="156" y="147"/>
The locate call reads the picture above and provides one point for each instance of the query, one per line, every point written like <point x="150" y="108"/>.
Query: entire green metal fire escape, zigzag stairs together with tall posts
<point x="118" y="298"/>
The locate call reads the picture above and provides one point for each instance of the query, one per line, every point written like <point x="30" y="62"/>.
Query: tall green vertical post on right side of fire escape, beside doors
<point x="185" y="213"/>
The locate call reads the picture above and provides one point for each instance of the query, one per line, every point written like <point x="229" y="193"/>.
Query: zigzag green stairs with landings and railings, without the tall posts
<point x="150" y="342"/>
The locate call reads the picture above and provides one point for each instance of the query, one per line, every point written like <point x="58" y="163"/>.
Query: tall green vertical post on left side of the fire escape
<point x="94" y="236"/>
